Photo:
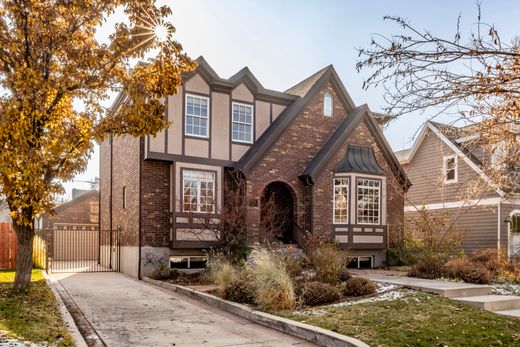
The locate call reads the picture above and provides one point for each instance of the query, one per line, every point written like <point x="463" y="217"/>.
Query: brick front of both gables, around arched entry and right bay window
<point x="295" y="149"/>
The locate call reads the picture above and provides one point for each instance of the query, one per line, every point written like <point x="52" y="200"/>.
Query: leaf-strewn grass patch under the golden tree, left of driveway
<point x="34" y="317"/>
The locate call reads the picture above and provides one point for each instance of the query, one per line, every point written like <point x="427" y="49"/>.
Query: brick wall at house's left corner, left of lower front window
<point x="154" y="180"/>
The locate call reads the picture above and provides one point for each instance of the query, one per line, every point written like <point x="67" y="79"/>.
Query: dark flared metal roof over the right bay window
<point x="359" y="159"/>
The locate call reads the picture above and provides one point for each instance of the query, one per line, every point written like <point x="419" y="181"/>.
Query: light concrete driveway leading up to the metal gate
<point x="127" y="312"/>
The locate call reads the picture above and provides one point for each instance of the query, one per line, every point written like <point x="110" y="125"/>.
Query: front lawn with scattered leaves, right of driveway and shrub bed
<point x="417" y="320"/>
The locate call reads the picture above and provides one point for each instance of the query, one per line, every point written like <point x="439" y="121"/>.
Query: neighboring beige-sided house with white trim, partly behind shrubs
<point x="447" y="176"/>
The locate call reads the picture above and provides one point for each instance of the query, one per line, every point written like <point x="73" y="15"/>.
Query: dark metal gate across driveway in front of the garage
<point x="82" y="250"/>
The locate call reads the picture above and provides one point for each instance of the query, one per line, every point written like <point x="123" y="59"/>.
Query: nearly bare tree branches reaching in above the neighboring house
<point x="475" y="76"/>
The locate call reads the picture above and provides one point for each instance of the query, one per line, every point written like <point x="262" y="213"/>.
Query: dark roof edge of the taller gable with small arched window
<point x="306" y="91"/>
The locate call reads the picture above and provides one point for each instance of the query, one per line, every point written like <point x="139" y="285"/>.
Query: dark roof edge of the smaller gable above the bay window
<point x="360" y="113"/>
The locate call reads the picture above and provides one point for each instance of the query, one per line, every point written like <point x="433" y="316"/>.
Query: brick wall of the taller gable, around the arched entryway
<point x="291" y="153"/>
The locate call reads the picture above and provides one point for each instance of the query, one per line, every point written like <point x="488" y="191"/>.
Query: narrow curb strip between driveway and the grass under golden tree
<point x="89" y="336"/>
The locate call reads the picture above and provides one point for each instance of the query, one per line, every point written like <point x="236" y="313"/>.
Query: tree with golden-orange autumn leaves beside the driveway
<point x="50" y="59"/>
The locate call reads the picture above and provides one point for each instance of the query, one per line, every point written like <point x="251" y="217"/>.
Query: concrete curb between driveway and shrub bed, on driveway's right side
<point x="307" y="332"/>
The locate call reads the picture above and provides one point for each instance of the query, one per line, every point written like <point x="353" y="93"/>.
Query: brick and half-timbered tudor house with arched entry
<point x="318" y="155"/>
